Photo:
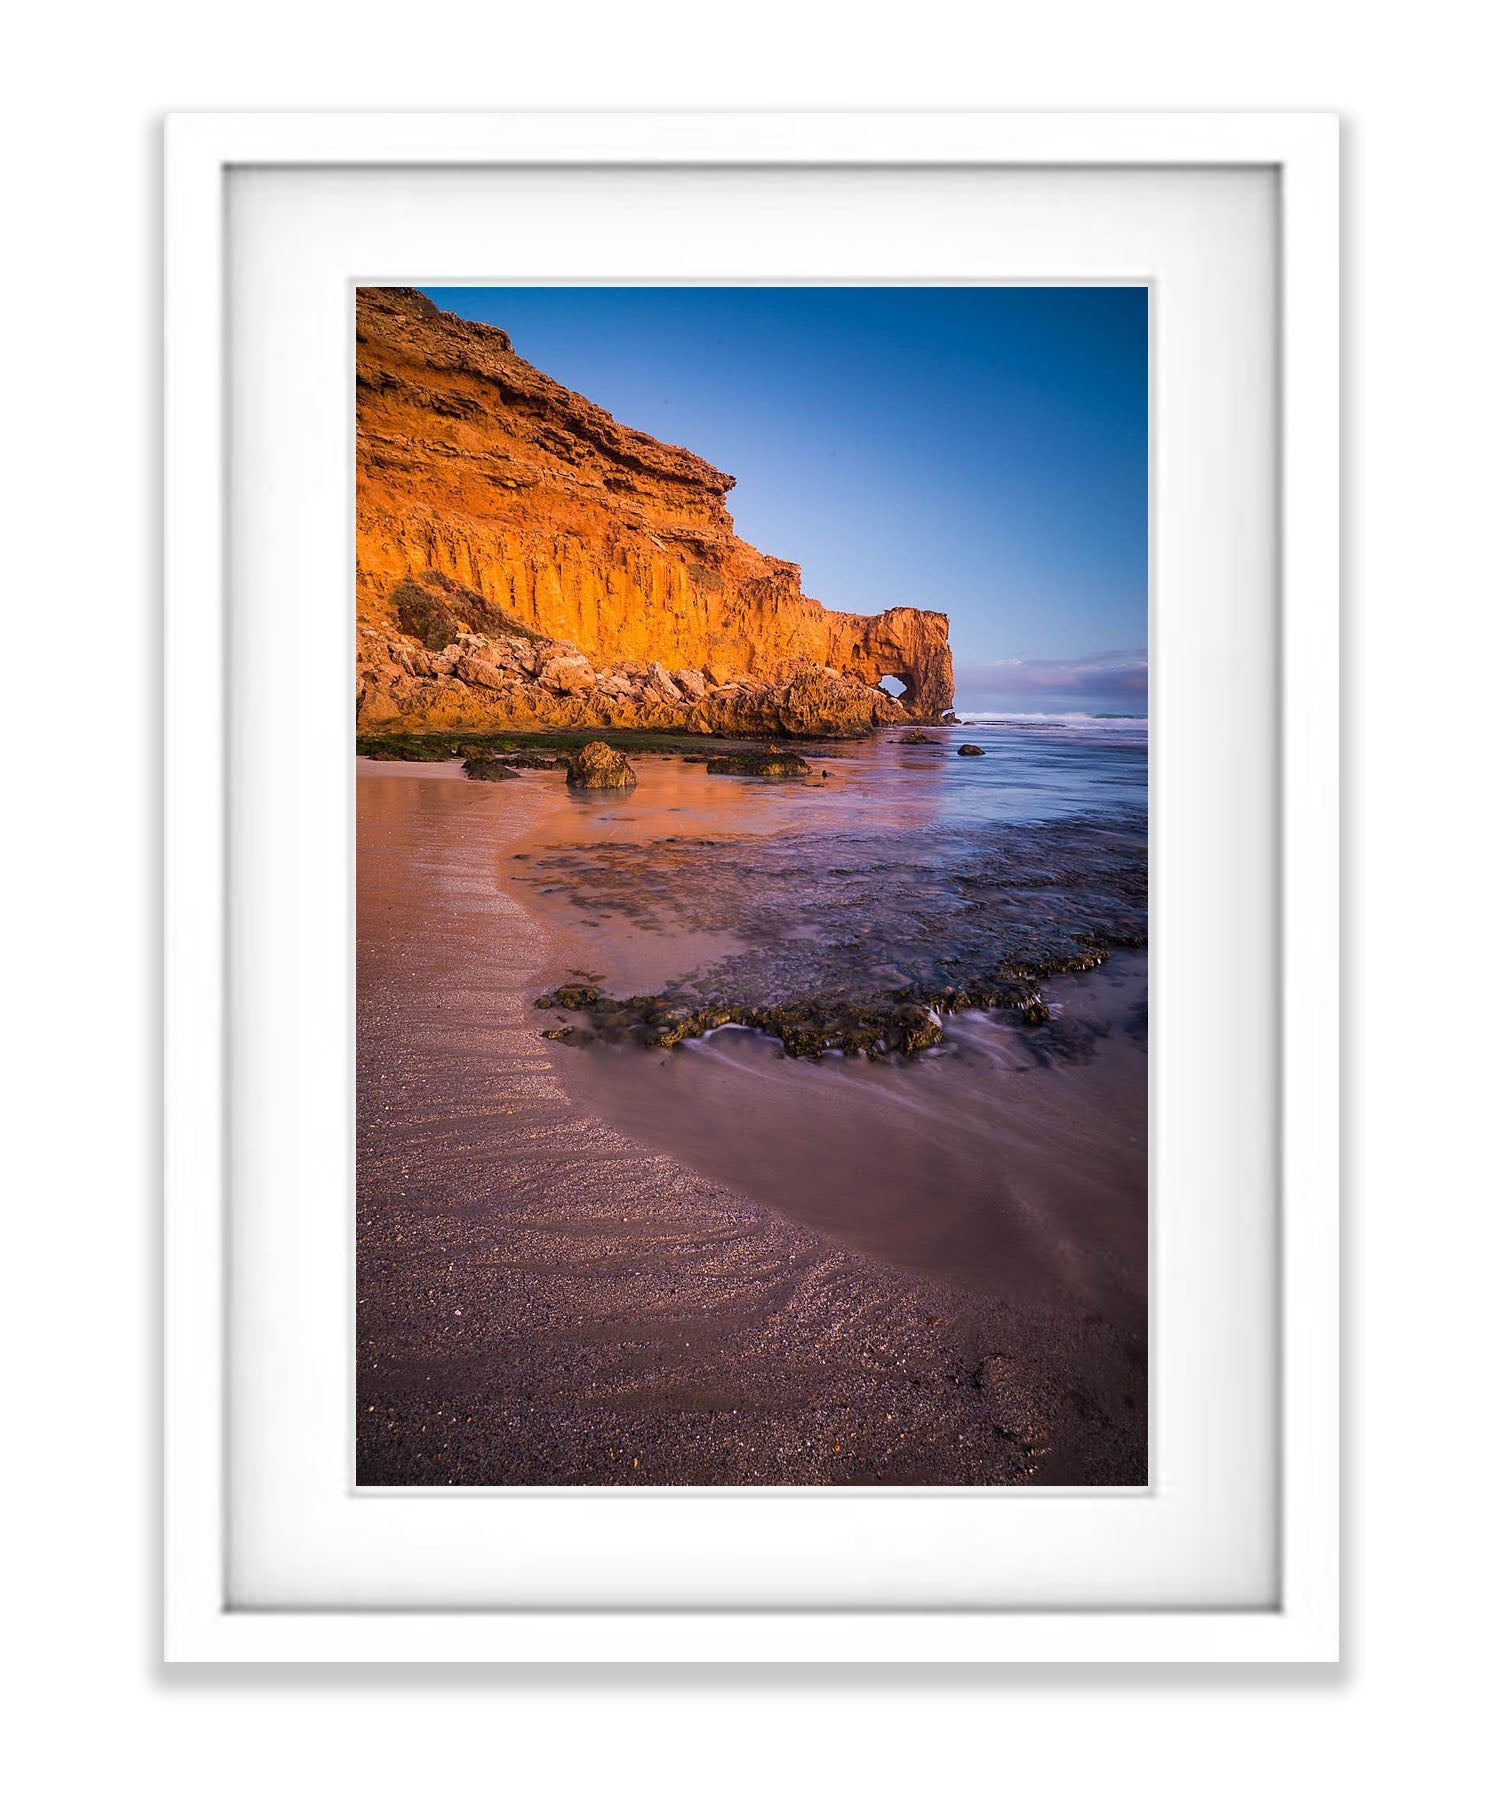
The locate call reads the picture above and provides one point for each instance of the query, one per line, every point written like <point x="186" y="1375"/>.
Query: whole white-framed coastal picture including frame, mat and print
<point x="752" y="888"/>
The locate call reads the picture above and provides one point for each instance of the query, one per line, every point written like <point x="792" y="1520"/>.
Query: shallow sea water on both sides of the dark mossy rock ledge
<point x="1009" y="1158"/>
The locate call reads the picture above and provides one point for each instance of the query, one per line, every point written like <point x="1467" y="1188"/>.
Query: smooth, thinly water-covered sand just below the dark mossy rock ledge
<point x="970" y="1164"/>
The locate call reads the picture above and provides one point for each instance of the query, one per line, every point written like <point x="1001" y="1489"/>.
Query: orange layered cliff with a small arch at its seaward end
<point x="525" y="561"/>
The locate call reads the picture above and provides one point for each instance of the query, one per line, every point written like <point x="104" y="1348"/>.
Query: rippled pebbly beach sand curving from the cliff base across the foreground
<point x="545" y="1300"/>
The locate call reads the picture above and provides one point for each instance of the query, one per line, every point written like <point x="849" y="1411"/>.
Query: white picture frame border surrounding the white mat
<point x="203" y="1621"/>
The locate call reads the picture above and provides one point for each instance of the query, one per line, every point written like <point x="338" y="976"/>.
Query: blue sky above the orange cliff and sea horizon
<point x="977" y="451"/>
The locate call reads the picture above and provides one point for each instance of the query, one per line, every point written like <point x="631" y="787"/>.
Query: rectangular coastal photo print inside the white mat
<point x="752" y="886"/>
